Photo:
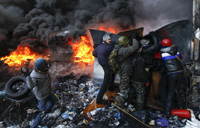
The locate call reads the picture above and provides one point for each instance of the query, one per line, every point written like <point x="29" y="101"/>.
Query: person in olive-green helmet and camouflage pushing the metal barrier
<point x="125" y="52"/>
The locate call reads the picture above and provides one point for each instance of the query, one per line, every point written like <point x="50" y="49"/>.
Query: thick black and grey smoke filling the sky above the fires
<point x="37" y="18"/>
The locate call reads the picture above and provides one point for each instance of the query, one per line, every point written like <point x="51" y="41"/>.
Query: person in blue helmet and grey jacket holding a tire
<point x="40" y="83"/>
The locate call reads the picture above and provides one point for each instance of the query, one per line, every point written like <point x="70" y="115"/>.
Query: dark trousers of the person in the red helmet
<point x="174" y="84"/>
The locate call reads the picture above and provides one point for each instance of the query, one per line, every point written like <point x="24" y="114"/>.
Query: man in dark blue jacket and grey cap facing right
<point x="102" y="52"/>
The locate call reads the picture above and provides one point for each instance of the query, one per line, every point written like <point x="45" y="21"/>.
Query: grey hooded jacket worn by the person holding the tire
<point x="40" y="83"/>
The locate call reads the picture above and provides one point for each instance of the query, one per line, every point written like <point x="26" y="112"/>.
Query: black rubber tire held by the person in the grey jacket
<point x="16" y="88"/>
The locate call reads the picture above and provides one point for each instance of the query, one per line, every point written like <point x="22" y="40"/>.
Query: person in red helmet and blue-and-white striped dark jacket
<point x="174" y="73"/>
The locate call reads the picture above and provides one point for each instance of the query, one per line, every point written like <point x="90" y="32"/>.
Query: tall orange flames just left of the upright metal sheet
<point x="83" y="51"/>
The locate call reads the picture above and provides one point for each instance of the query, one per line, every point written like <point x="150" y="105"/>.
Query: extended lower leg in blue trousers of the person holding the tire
<point x="42" y="107"/>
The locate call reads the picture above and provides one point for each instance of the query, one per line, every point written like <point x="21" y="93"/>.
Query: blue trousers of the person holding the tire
<point x="44" y="106"/>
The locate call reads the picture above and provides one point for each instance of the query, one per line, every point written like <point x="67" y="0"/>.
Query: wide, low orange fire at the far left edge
<point x="21" y="56"/>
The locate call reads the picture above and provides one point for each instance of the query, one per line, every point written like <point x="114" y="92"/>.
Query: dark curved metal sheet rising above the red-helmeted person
<point x="180" y="33"/>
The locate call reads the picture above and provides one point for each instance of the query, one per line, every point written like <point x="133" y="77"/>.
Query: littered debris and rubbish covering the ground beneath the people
<point x="74" y="95"/>
